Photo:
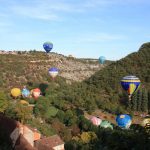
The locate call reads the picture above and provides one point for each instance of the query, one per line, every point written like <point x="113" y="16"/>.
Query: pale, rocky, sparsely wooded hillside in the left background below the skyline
<point x="18" y="68"/>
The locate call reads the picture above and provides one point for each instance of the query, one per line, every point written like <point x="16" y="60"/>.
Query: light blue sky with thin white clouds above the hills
<point x="82" y="28"/>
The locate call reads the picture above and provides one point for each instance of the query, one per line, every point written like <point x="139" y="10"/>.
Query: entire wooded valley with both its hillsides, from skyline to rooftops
<point x="65" y="109"/>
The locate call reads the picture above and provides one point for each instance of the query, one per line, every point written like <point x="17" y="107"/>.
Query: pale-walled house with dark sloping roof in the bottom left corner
<point x="20" y="135"/>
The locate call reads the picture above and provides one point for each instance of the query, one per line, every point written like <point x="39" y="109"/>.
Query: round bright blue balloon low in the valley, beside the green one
<point x="124" y="121"/>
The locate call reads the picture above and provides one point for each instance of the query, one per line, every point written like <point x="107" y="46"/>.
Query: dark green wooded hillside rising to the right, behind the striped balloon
<point x="103" y="89"/>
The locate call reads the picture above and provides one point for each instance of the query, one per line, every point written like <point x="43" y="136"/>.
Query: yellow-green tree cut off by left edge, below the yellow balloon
<point x="3" y="102"/>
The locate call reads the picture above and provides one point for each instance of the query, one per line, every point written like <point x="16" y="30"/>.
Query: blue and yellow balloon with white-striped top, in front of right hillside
<point x="130" y="84"/>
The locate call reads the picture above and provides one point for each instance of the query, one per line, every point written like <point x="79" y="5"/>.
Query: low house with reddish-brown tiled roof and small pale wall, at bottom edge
<point x="50" y="143"/>
